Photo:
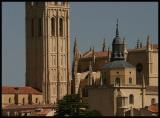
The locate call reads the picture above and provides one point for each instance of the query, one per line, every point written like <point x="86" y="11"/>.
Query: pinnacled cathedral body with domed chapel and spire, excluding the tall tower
<point x="119" y="80"/>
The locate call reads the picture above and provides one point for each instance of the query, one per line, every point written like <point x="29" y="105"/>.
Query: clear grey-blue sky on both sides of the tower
<point x="90" y="22"/>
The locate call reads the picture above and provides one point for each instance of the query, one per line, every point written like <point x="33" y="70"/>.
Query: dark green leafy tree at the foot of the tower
<point x="73" y="105"/>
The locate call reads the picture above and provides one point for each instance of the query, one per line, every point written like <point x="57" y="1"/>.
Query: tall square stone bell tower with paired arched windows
<point x="48" y="48"/>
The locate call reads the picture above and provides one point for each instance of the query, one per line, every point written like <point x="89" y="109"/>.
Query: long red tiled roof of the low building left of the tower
<point x="19" y="90"/>
